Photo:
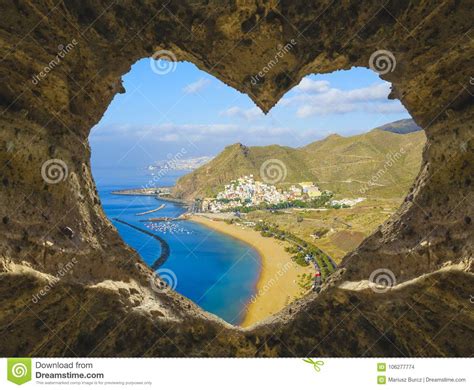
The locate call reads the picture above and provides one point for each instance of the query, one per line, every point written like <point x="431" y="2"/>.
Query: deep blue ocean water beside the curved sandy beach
<point x="216" y="271"/>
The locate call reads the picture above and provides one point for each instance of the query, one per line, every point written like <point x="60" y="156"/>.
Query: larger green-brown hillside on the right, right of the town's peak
<point x="345" y="165"/>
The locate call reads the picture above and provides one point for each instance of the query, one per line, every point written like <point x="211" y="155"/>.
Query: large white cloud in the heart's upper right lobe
<point x="318" y="98"/>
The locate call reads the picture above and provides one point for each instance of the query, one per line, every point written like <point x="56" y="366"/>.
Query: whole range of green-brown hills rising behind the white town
<point x="344" y="165"/>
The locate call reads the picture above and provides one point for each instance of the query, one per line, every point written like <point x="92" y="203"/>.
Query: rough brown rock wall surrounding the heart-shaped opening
<point x="104" y="305"/>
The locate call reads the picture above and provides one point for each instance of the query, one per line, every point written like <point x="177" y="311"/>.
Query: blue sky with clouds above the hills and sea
<point x="188" y="109"/>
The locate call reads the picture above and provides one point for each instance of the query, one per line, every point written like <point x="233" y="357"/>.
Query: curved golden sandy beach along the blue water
<point x="278" y="283"/>
